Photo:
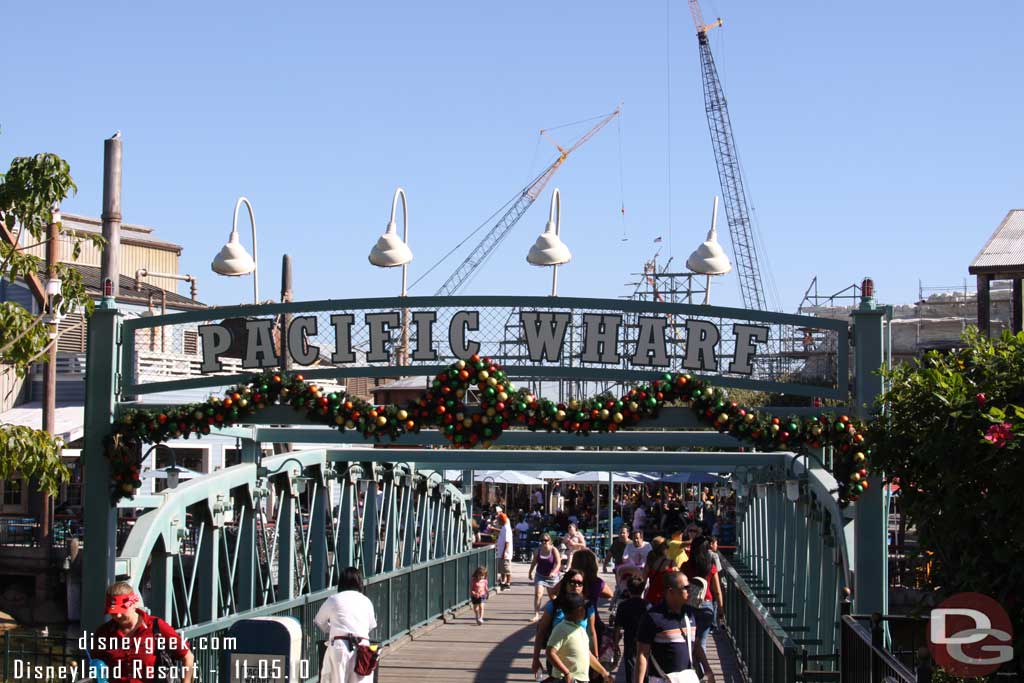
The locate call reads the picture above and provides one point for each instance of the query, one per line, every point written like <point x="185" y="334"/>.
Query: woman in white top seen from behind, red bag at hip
<point x="347" y="618"/>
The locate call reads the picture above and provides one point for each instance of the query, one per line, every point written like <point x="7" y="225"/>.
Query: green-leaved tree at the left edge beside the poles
<point x="30" y="192"/>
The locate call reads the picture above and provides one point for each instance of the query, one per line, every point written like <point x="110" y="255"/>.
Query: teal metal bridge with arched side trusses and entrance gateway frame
<point x="271" y="536"/>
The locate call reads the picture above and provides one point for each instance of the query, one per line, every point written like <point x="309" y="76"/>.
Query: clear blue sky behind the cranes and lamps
<point x="877" y="138"/>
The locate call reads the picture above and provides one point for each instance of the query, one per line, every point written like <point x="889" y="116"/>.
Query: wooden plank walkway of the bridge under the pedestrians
<point x="502" y="649"/>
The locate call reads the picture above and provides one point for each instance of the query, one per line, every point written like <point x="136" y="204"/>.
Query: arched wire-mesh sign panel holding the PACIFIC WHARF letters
<point x="543" y="338"/>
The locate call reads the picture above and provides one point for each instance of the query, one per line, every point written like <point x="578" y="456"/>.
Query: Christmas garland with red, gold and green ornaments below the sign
<point x="502" y="407"/>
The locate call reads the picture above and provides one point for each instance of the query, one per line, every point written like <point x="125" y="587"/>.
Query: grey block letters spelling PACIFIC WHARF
<point x="608" y="339"/>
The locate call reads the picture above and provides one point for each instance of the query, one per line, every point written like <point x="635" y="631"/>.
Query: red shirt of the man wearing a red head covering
<point x="137" y="653"/>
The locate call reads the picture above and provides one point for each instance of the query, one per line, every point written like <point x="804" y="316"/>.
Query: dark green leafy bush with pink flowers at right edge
<point x="953" y="434"/>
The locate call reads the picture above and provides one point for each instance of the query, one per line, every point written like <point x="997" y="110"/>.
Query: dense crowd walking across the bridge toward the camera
<point x="665" y="601"/>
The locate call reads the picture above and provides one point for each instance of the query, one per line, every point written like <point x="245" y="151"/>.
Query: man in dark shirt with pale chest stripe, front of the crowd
<point x="667" y="637"/>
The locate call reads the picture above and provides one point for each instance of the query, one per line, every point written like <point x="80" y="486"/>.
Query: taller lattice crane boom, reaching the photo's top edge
<point x="738" y="211"/>
